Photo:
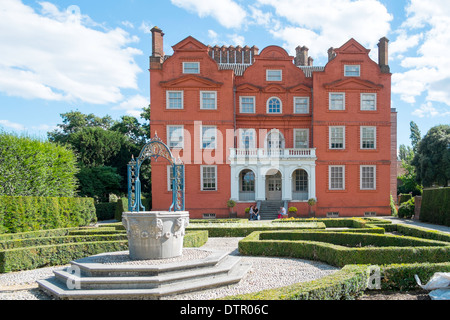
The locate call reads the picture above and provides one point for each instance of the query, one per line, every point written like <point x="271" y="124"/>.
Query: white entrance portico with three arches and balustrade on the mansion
<point x="285" y="175"/>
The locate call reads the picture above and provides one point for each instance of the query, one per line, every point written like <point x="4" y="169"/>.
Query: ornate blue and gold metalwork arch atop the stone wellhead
<point x="155" y="148"/>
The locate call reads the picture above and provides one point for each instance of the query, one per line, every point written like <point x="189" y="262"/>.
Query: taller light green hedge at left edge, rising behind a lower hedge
<point x="29" y="167"/>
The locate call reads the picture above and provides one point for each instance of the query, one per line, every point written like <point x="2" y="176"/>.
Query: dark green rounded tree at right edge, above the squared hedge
<point x="432" y="159"/>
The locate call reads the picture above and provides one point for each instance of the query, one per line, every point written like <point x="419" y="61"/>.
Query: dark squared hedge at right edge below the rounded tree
<point x="436" y="206"/>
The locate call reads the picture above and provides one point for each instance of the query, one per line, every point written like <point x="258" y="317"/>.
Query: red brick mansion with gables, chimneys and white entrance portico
<point x="257" y="127"/>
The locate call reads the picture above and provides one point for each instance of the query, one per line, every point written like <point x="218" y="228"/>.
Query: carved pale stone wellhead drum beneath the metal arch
<point x="155" y="234"/>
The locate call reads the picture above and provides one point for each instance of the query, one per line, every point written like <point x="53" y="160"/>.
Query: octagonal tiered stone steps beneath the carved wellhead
<point x="144" y="282"/>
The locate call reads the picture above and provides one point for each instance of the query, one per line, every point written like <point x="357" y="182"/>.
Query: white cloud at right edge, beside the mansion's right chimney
<point x="428" y="69"/>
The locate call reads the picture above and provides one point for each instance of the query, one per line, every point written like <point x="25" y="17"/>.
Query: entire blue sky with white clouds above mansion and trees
<point x="92" y="56"/>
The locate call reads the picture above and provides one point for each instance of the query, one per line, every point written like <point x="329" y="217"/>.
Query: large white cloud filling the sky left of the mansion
<point x="58" y="55"/>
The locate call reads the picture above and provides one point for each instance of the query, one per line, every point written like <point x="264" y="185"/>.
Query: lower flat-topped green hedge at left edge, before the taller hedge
<point x="22" y="214"/>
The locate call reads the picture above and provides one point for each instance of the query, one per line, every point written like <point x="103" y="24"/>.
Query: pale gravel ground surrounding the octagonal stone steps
<point x="266" y="273"/>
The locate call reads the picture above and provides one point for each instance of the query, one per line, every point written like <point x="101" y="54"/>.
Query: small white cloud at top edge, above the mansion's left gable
<point x="227" y="12"/>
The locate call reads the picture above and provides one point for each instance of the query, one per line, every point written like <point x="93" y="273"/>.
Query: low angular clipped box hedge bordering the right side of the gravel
<point x="338" y="255"/>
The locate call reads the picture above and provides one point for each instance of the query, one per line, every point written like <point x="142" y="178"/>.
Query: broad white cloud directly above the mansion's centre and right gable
<point x="320" y="25"/>
